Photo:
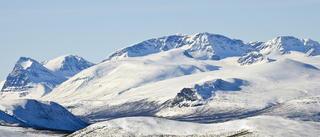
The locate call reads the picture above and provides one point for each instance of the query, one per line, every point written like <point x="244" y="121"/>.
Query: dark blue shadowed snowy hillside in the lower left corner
<point x="38" y="114"/>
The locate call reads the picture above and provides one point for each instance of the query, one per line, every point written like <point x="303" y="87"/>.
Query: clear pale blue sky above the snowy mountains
<point x="46" y="29"/>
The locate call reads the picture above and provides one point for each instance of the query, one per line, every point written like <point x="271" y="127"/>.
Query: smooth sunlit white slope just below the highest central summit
<point x="113" y="78"/>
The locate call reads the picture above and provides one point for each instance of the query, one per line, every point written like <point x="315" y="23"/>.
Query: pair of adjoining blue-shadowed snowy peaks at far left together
<point x="31" y="79"/>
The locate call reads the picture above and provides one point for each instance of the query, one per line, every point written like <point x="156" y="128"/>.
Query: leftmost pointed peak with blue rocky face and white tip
<point x="28" y="76"/>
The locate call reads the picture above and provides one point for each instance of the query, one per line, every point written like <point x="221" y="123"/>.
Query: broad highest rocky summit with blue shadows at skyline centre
<point x="202" y="46"/>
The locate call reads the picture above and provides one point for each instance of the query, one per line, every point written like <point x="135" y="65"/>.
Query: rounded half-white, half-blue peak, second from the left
<point x="67" y="65"/>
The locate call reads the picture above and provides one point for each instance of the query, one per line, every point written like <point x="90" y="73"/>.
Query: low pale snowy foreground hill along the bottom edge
<point x="148" y="126"/>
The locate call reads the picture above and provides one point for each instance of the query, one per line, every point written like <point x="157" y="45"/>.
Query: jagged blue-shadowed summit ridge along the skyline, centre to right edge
<point x="207" y="46"/>
